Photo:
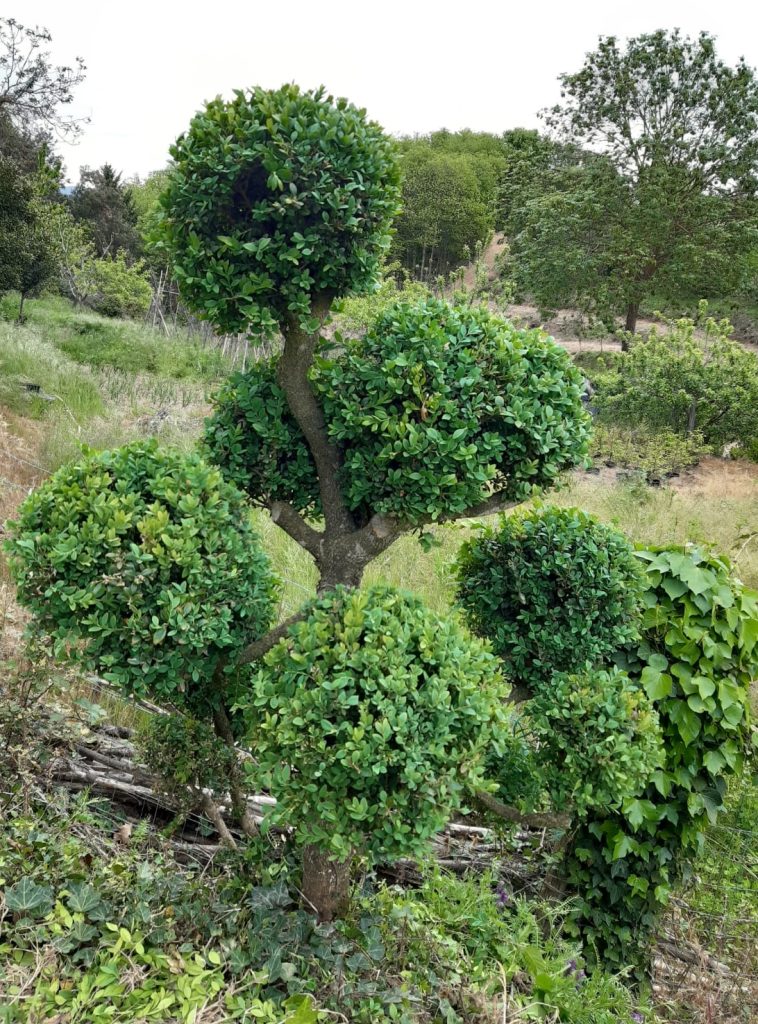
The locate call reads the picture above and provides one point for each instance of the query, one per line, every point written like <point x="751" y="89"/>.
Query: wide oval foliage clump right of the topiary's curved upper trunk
<point x="437" y="405"/>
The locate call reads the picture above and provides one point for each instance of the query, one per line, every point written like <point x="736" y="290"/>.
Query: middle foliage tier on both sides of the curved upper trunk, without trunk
<point x="431" y="410"/>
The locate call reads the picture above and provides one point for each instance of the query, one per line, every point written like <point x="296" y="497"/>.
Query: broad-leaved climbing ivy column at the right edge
<point x="697" y="658"/>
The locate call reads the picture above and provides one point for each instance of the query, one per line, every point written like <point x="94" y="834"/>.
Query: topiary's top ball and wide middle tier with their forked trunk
<point x="279" y="203"/>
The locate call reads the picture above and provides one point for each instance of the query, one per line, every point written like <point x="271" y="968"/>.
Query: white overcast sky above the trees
<point x="415" y="65"/>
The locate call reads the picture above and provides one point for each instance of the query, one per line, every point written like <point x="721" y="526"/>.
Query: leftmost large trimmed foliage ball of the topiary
<point x="143" y="566"/>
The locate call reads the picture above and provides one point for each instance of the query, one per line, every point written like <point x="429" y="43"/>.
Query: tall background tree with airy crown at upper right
<point x="664" y="202"/>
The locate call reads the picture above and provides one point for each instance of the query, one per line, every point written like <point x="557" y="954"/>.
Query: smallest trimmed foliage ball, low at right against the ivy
<point x="597" y="739"/>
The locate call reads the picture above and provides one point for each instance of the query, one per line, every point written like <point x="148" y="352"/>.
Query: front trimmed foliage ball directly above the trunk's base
<point x="371" y="720"/>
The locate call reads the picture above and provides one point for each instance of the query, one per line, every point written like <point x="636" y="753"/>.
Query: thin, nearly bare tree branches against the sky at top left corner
<point x="32" y="89"/>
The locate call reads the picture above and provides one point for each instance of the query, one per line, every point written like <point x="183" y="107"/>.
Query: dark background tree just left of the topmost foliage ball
<point x="105" y="204"/>
